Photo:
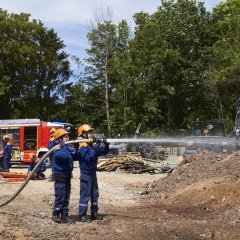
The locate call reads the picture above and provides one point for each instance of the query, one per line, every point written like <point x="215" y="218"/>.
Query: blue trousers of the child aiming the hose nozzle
<point x="88" y="191"/>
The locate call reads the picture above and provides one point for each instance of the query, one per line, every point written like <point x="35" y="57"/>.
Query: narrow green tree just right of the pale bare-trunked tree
<point x="123" y="116"/>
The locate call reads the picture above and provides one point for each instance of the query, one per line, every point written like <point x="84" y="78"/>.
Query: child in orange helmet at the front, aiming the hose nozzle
<point x="88" y="154"/>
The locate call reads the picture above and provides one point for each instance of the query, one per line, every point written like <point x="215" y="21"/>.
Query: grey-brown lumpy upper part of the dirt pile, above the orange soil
<point x="206" y="166"/>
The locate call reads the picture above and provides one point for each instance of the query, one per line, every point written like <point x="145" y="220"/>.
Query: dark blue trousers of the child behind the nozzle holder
<point x="62" y="197"/>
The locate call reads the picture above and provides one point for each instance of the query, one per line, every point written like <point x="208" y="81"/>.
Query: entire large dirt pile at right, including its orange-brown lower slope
<point x="206" y="179"/>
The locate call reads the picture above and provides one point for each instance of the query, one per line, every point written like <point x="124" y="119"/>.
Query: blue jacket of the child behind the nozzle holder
<point x="63" y="161"/>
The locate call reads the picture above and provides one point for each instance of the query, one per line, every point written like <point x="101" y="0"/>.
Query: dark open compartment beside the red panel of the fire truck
<point x="30" y="138"/>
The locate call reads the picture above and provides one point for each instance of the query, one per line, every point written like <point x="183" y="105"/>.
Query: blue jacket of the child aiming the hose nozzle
<point x="88" y="157"/>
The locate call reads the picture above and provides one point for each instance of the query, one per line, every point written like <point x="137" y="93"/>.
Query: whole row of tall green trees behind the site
<point x="182" y="63"/>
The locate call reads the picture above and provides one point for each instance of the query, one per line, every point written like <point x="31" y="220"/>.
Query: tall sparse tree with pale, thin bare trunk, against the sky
<point x="99" y="68"/>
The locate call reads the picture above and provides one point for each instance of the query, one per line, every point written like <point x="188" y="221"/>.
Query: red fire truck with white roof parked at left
<point x="28" y="135"/>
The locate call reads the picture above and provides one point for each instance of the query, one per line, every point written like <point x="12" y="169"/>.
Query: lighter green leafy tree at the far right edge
<point x="223" y="75"/>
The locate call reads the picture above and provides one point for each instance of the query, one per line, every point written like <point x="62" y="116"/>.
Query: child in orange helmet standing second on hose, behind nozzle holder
<point x="62" y="170"/>
